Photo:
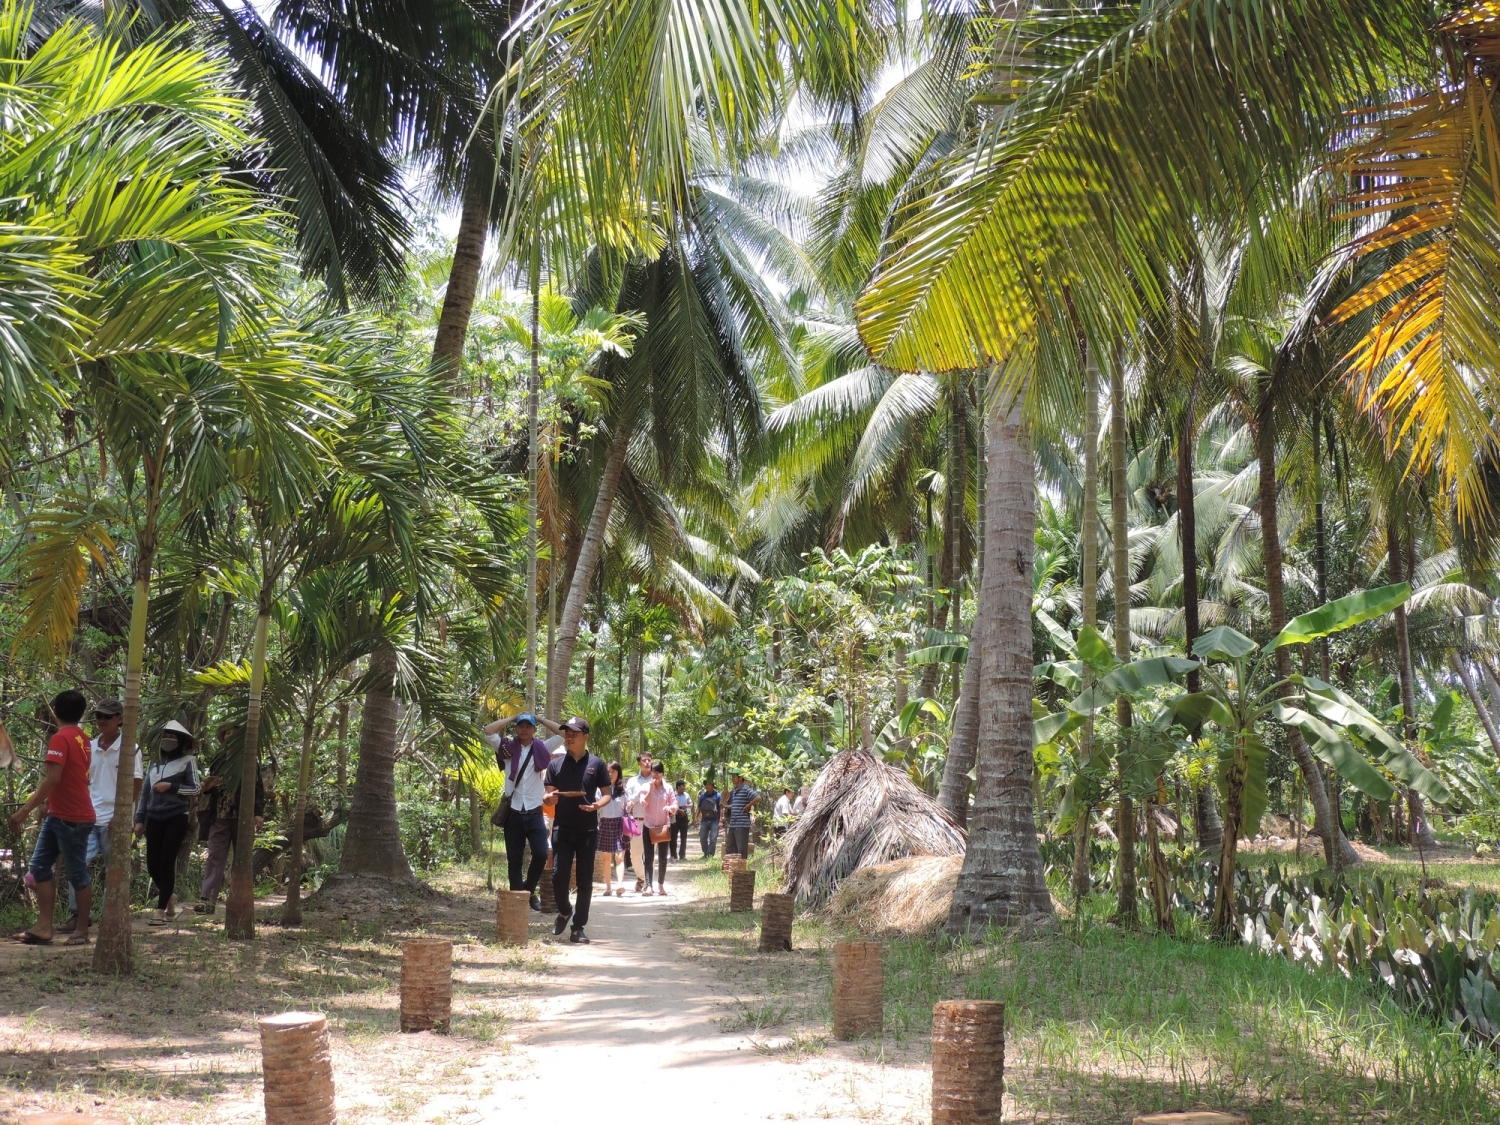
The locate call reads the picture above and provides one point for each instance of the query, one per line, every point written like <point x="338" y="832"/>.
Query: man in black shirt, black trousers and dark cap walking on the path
<point x="581" y="781"/>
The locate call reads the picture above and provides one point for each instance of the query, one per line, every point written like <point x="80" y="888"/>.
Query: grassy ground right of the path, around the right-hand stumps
<point x="1105" y="1024"/>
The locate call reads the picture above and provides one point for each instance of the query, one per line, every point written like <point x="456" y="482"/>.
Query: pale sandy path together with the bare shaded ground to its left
<point x="638" y="1027"/>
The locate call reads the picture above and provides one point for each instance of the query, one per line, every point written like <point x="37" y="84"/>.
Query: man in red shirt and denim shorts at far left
<point x="68" y="826"/>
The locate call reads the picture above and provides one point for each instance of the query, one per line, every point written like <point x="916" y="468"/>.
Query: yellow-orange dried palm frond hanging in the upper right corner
<point x="1430" y="367"/>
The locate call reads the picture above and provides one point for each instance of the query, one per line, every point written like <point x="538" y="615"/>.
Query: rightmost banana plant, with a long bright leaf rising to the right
<point x="1240" y="694"/>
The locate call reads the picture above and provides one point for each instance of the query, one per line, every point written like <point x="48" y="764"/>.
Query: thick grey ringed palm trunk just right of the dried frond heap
<point x="1003" y="877"/>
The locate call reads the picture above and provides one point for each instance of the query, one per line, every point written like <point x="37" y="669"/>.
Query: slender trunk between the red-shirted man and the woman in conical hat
<point x="113" y="946"/>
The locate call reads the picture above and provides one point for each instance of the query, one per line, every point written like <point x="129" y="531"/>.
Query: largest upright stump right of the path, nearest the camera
<point x="968" y="1063"/>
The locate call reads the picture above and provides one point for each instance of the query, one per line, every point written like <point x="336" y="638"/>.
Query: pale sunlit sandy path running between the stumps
<point x="629" y="1031"/>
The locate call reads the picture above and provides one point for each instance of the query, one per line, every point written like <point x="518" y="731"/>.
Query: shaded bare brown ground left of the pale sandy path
<point x="178" y="1042"/>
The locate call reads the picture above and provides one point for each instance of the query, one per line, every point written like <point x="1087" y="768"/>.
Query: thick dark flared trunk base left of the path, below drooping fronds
<point x="373" y="839"/>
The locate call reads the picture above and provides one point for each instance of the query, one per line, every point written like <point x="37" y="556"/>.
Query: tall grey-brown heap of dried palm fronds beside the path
<point x="863" y="812"/>
